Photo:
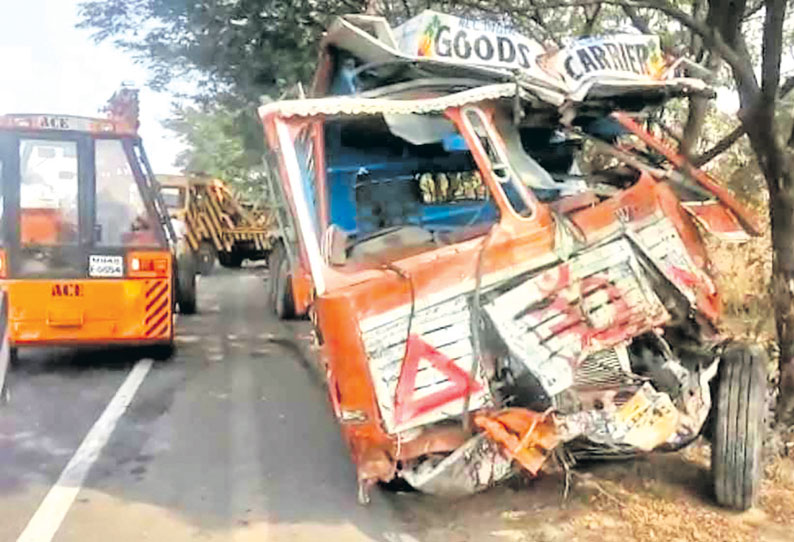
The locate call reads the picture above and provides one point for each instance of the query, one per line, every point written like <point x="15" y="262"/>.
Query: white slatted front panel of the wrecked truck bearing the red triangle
<point x="443" y="352"/>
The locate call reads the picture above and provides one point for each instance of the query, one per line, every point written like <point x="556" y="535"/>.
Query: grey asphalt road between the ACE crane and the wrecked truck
<point x="231" y="439"/>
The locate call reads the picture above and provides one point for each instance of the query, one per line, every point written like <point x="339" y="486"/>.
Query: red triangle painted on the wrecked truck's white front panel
<point x="405" y="407"/>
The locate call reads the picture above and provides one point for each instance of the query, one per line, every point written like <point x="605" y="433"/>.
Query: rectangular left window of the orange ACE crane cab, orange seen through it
<point x="48" y="192"/>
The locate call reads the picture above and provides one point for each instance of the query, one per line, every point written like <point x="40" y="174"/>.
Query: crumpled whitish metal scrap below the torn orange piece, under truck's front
<point x="477" y="465"/>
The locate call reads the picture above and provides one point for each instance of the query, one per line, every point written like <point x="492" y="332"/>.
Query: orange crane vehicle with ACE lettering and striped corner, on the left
<point x="87" y="253"/>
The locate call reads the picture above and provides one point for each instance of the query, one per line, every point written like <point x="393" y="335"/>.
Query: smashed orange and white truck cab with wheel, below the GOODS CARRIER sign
<point x="481" y="310"/>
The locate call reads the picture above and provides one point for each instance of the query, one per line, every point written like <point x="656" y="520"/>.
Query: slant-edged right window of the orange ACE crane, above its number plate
<point x="121" y="216"/>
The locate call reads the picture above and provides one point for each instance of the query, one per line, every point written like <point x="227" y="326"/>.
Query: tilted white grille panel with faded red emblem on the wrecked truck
<point x="551" y="321"/>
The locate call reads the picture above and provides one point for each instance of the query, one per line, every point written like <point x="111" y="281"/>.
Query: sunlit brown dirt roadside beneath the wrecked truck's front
<point x="659" y="497"/>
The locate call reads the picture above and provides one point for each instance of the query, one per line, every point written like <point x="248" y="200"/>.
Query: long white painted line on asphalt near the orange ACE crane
<point x="52" y="510"/>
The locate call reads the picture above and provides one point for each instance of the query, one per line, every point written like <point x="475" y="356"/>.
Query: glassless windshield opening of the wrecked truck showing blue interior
<point x="401" y="171"/>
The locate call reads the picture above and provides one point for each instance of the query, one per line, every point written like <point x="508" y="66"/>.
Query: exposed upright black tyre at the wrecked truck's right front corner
<point x="739" y="426"/>
